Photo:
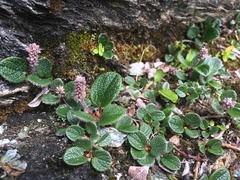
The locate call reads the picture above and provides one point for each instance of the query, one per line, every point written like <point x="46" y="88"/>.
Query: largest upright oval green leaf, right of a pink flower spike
<point x="105" y="88"/>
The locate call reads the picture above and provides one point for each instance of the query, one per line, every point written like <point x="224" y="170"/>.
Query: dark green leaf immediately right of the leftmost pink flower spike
<point x="44" y="68"/>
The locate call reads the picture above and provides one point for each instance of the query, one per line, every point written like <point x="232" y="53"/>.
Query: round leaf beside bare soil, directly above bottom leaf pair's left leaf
<point x="74" y="132"/>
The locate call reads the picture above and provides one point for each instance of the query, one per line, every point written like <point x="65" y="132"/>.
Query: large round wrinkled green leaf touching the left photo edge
<point x="13" y="69"/>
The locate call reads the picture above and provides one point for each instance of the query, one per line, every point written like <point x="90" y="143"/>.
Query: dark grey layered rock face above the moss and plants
<point x="27" y="21"/>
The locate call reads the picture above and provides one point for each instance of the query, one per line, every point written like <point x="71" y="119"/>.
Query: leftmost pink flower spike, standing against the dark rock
<point x="33" y="51"/>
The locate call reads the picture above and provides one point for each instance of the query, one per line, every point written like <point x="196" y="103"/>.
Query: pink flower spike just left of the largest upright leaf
<point x="79" y="88"/>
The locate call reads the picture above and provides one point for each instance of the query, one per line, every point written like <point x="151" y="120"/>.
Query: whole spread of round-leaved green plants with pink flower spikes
<point x="156" y="104"/>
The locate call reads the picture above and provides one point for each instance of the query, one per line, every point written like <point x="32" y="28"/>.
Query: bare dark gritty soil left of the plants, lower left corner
<point x="42" y="149"/>
